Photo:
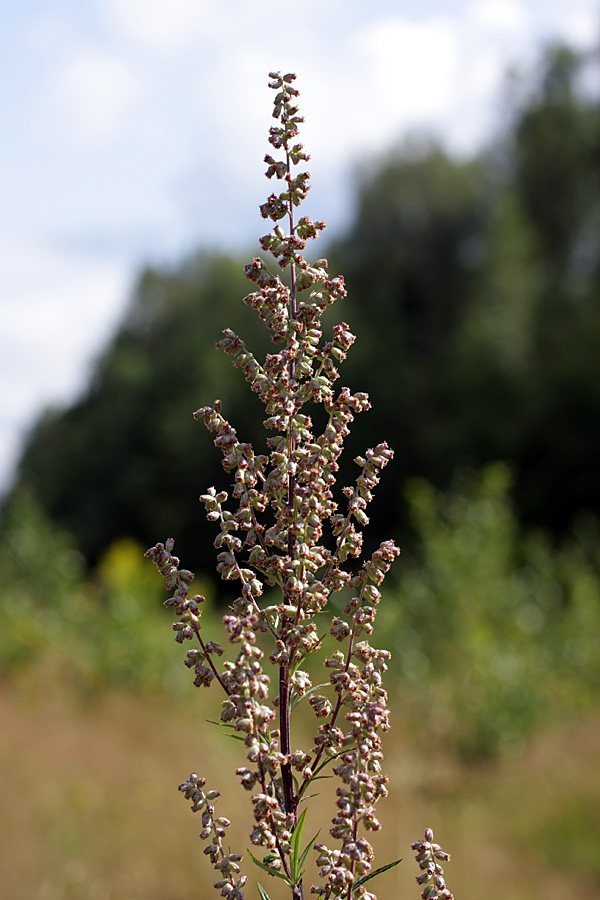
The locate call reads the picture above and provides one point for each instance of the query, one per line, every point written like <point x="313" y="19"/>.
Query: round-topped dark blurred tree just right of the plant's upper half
<point x="413" y="259"/>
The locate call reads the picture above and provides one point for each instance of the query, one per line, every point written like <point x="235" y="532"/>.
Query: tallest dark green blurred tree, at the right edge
<point x="556" y="176"/>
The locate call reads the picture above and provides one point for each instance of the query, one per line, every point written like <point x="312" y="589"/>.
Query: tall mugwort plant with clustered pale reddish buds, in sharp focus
<point x="290" y="546"/>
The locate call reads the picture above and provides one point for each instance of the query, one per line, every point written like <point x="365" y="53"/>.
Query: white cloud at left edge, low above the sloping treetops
<point x="56" y="311"/>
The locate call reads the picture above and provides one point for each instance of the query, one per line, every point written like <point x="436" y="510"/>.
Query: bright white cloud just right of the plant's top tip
<point x="387" y="76"/>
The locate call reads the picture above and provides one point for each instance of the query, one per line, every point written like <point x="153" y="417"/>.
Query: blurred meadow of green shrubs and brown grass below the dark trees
<point x="494" y="688"/>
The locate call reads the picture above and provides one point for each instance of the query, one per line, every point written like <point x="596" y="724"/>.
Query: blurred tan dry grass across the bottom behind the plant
<point x="90" y="809"/>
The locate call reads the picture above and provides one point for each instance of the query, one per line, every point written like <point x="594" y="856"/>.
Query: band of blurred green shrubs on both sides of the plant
<point x="494" y="631"/>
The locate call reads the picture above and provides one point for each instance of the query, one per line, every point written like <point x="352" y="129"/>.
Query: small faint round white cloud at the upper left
<point x="91" y="97"/>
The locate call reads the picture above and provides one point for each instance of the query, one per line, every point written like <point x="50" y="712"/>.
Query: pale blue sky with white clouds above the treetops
<point x="133" y="132"/>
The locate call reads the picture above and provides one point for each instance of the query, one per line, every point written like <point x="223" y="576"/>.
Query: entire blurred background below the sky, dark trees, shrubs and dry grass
<point x="474" y="290"/>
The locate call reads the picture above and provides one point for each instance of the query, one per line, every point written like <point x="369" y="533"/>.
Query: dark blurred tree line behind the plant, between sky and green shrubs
<point x="474" y="290"/>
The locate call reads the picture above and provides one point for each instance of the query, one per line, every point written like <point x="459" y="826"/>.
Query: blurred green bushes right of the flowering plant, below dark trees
<point x="493" y="630"/>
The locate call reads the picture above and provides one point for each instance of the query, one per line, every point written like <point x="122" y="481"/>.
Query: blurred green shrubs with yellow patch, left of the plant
<point x="94" y="631"/>
